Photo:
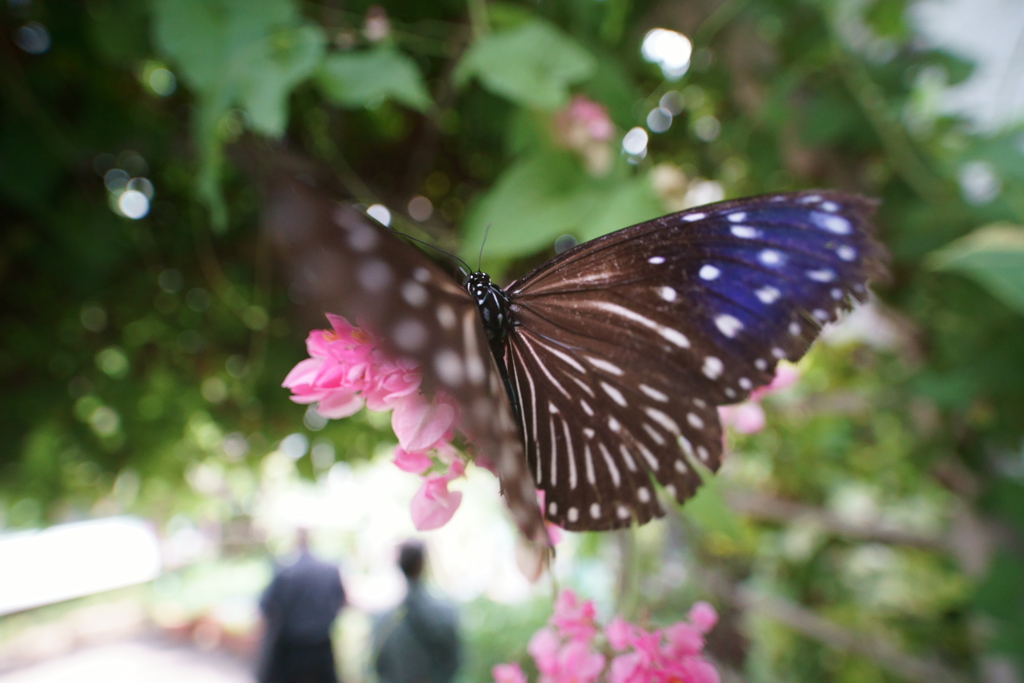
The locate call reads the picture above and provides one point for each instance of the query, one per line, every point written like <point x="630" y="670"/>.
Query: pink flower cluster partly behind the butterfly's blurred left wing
<point x="348" y="370"/>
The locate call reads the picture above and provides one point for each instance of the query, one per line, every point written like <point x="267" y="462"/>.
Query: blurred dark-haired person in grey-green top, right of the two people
<point x="417" y="643"/>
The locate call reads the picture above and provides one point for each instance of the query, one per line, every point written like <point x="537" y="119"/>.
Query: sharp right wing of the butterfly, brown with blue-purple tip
<point x="624" y="347"/>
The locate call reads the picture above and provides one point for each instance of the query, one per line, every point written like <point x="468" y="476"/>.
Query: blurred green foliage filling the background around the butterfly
<point x="135" y="353"/>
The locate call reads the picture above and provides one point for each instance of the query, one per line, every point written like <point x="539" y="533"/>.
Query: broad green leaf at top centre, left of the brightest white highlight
<point x="533" y="65"/>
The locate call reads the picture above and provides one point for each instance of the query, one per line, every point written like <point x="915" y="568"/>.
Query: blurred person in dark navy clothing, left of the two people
<point x="300" y="607"/>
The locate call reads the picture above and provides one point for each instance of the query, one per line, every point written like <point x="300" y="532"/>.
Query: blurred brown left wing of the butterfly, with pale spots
<point x="344" y="264"/>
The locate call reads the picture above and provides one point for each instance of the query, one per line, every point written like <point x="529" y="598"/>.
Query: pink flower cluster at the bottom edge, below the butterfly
<point x="567" y="650"/>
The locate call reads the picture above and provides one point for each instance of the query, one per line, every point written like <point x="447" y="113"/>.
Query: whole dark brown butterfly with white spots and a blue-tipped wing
<point x="601" y="370"/>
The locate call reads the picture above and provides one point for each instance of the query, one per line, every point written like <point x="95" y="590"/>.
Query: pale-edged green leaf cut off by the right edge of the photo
<point x="994" y="257"/>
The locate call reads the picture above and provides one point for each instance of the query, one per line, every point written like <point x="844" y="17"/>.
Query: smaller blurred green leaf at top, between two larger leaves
<point x="361" y="79"/>
